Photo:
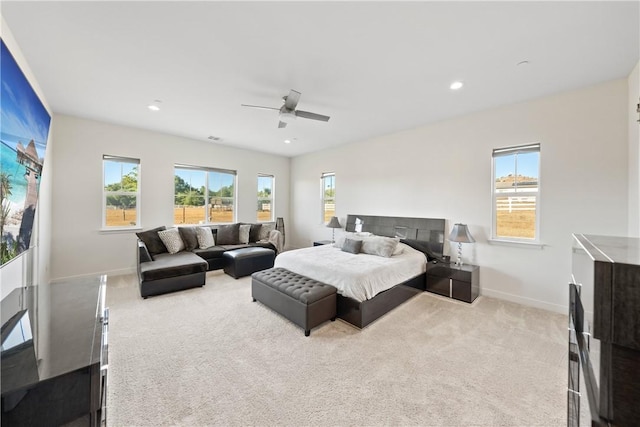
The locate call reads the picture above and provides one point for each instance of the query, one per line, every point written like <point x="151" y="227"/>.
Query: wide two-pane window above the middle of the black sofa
<point x="204" y="195"/>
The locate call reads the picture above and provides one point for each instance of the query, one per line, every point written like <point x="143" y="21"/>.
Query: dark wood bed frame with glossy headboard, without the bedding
<point x="426" y="234"/>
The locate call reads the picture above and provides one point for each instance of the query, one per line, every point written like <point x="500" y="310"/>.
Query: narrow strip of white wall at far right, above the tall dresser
<point x="634" y="152"/>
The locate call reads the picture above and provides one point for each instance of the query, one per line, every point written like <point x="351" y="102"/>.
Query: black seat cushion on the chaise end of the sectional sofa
<point x="171" y="265"/>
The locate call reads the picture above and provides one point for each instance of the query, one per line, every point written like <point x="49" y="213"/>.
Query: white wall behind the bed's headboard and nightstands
<point x="443" y="170"/>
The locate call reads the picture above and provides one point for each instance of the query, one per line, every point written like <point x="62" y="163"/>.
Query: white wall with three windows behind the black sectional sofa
<point x="79" y="246"/>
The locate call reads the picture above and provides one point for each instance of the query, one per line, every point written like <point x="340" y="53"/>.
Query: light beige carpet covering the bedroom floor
<point x="211" y="356"/>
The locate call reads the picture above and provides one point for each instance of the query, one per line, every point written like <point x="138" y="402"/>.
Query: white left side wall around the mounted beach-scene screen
<point x="32" y="266"/>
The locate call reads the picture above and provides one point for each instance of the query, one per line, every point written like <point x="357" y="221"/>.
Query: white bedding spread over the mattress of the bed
<point x="360" y="276"/>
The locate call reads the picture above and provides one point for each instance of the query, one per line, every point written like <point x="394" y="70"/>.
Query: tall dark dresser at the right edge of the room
<point x="604" y="332"/>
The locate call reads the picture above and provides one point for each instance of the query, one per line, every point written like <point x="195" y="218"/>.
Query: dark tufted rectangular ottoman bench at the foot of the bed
<point x="304" y="301"/>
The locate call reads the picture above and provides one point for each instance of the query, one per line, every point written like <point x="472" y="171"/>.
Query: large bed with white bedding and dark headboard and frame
<point x="370" y="286"/>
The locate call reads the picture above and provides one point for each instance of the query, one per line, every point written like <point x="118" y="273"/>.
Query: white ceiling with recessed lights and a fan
<point x="374" y="67"/>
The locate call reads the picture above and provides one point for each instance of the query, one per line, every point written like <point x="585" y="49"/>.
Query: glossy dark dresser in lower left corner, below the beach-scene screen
<point x="54" y="354"/>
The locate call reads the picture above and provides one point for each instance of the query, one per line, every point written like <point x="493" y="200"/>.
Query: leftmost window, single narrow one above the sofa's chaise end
<point x="121" y="192"/>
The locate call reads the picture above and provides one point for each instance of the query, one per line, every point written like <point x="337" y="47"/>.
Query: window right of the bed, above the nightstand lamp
<point x="516" y="195"/>
